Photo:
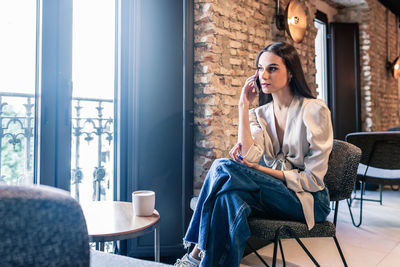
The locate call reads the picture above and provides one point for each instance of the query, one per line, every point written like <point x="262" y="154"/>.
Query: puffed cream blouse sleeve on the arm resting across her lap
<point x="319" y="135"/>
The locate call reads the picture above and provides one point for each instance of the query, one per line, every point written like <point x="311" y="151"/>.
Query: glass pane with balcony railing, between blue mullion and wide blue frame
<point x="93" y="121"/>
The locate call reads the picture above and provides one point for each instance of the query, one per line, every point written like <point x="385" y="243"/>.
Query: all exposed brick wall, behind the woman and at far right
<point x="228" y="36"/>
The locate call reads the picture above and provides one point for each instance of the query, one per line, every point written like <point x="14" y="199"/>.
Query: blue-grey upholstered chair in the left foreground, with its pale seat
<point x="44" y="226"/>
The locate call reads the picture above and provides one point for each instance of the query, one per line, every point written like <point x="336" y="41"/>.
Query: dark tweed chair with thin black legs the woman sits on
<point x="340" y="179"/>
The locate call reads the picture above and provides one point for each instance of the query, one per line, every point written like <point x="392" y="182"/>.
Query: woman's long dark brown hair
<point x="291" y="59"/>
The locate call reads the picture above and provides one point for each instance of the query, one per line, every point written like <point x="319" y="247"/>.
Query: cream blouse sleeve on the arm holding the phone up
<point x="256" y="150"/>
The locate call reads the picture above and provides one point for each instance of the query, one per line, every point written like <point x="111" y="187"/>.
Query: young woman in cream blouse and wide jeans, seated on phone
<point x="291" y="133"/>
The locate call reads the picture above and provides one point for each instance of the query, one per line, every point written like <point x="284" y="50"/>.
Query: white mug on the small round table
<point x="143" y="202"/>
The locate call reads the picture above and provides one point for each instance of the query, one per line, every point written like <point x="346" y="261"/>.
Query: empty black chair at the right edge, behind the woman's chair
<point x="379" y="164"/>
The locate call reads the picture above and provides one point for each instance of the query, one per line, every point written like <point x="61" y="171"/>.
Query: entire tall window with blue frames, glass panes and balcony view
<point x="96" y="97"/>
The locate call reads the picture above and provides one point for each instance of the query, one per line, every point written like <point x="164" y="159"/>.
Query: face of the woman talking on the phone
<point x="272" y="73"/>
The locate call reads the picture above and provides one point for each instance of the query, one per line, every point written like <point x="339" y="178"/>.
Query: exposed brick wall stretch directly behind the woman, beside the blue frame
<point x="228" y="36"/>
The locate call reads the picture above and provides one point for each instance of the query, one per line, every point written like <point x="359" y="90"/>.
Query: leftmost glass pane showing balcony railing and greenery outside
<point x="18" y="83"/>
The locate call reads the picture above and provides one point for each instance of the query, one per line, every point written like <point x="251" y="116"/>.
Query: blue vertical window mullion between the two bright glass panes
<point x="56" y="93"/>
